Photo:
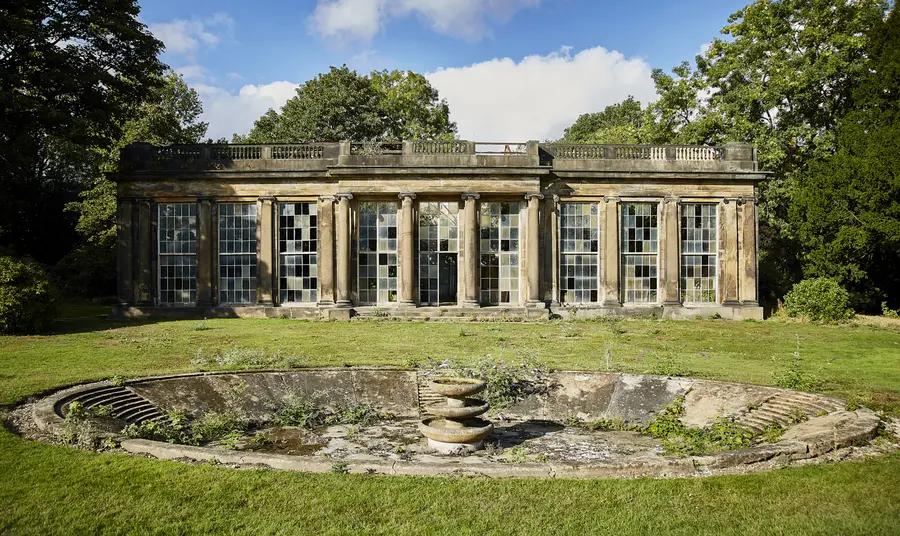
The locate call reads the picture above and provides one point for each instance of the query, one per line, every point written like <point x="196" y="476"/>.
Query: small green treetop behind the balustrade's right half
<point x="618" y="123"/>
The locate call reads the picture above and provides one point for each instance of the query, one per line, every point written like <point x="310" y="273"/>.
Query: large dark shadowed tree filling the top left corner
<point x="70" y="73"/>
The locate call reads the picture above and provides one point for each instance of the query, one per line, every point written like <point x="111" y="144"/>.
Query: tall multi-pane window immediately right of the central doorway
<point x="499" y="253"/>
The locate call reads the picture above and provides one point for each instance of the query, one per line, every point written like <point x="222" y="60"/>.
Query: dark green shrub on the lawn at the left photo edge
<point x="27" y="301"/>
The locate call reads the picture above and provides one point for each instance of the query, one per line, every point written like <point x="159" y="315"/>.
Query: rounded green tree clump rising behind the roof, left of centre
<point x="344" y="105"/>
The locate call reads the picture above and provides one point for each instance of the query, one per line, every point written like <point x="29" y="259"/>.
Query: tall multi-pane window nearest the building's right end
<point x="699" y="250"/>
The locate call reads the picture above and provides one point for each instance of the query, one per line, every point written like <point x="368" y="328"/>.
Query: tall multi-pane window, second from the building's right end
<point x="640" y="257"/>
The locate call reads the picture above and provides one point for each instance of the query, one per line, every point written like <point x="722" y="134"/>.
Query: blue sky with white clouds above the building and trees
<point x="510" y="70"/>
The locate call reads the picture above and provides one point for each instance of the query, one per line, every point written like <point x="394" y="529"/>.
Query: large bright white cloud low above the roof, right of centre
<point x="538" y="97"/>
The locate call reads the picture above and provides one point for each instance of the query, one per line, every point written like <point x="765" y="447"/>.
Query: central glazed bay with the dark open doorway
<point x="438" y="250"/>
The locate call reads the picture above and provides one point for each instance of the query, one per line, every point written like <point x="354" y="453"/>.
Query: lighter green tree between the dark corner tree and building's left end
<point x="170" y="114"/>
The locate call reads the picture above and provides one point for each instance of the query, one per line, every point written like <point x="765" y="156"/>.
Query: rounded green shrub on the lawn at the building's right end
<point x="821" y="300"/>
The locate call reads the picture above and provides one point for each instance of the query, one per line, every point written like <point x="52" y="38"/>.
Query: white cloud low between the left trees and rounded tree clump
<point x="229" y="113"/>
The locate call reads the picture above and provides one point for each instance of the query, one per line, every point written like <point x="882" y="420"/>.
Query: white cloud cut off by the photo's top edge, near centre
<point x="361" y="20"/>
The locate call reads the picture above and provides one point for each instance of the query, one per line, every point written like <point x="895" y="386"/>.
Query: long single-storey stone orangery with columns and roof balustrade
<point x="437" y="228"/>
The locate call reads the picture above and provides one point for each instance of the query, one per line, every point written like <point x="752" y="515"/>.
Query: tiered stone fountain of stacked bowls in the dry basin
<point x="455" y="430"/>
